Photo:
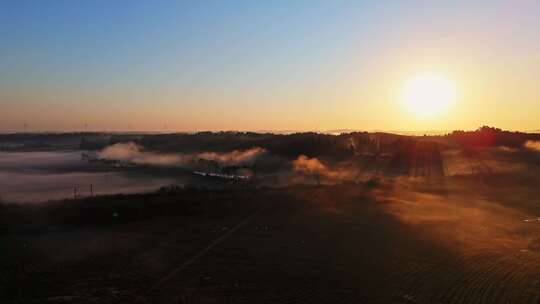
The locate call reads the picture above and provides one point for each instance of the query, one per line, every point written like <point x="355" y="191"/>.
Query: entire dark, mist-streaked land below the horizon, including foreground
<point x="265" y="217"/>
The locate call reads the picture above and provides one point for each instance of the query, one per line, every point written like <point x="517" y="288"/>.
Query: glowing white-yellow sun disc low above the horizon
<point x="428" y="94"/>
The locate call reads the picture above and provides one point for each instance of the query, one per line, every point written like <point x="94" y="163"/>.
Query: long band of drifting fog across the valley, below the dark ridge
<point x="130" y="168"/>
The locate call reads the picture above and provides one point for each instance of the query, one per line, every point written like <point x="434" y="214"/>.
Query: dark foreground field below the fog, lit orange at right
<point x="453" y="240"/>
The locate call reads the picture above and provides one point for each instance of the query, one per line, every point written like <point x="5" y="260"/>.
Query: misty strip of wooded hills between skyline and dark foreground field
<point x="140" y="164"/>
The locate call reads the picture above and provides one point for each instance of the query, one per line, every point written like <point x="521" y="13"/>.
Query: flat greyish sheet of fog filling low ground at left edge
<point x="41" y="176"/>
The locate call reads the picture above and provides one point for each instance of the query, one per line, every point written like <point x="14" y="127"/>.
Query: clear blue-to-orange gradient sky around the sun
<point x="265" y="65"/>
